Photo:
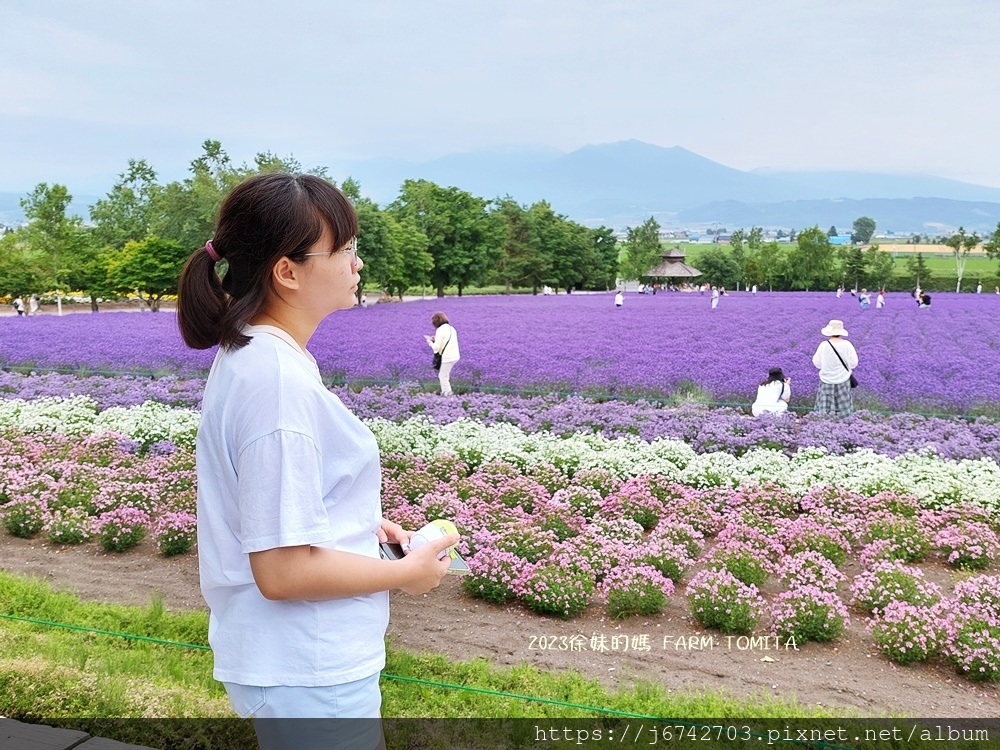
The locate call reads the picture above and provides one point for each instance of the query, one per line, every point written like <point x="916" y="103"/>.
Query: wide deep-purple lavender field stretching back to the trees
<point x="944" y="358"/>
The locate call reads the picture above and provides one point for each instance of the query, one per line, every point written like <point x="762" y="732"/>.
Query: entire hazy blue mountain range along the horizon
<point x="622" y="184"/>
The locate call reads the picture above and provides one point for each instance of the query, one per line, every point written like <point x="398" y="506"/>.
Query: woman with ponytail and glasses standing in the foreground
<point x="289" y="508"/>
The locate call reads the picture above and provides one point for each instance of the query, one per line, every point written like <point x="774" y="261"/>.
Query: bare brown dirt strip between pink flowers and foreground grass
<point x="847" y="677"/>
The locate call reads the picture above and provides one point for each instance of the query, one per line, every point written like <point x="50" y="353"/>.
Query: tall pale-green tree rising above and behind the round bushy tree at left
<point x="126" y="213"/>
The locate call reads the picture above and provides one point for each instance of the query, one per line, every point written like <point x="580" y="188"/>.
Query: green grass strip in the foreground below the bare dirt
<point x="48" y="671"/>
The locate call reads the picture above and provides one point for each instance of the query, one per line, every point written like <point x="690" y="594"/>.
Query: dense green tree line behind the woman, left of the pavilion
<point x="142" y="232"/>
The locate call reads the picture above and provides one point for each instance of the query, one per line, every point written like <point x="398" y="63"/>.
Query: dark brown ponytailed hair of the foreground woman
<point x="263" y="219"/>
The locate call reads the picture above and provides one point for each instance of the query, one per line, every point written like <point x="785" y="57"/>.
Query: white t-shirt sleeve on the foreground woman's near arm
<point x="279" y="493"/>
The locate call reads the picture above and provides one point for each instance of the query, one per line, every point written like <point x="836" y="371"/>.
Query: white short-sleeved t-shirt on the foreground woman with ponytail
<point x="282" y="462"/>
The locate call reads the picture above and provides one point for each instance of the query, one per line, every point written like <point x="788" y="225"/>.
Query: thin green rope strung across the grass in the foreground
<point x="430" y="683"/>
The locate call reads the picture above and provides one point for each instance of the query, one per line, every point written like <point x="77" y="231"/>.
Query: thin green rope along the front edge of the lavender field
<point x="427" y="385"/>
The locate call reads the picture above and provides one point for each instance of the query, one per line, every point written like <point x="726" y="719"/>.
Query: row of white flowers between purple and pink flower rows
<point x="936" y="481"/>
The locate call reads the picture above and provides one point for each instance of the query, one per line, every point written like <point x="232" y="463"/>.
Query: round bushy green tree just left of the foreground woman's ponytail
<point x="149" y="266"/>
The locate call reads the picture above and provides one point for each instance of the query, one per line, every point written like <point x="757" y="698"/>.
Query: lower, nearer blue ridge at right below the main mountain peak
<point x="891" y="214"/>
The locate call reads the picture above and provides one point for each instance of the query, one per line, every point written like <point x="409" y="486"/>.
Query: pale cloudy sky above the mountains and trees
<point x="874" y="85"/>
